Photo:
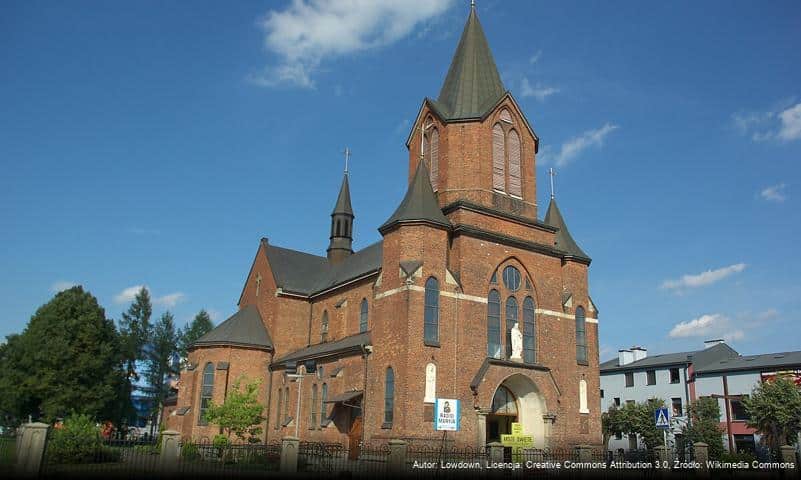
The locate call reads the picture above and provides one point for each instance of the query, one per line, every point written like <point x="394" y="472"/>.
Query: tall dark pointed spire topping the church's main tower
<point x="473" y="84"/>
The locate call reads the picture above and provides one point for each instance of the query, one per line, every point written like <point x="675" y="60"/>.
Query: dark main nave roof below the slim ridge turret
<point x="307" y="274"/>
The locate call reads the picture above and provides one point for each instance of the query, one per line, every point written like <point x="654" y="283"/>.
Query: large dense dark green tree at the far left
<point x="66" y="361"/>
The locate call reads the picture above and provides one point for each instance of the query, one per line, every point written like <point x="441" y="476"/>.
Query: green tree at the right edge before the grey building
<point x="774" y="409"/>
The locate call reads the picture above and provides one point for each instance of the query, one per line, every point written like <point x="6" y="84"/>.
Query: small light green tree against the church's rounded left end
<point x="241" y="413"/>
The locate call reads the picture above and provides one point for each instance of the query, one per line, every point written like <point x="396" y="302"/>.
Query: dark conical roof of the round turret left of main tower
<point x="419" y="204"/>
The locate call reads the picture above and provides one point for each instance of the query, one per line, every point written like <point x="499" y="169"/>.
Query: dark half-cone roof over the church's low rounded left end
<point x="245" y="328"/>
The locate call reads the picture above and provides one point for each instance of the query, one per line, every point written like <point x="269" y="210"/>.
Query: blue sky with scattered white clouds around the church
<point x="152" y="143"/>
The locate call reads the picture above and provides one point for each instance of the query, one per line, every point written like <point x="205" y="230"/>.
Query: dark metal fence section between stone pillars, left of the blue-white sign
<point x="336" y="458"/>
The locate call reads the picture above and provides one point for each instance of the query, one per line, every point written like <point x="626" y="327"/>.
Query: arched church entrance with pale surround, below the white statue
<point x="516" y="400"/>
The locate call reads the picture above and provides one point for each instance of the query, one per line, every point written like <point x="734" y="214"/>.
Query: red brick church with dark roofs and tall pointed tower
<point x="354" y="346"/>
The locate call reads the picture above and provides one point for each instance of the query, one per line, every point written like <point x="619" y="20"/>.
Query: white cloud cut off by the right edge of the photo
<point x="782" y="123"/>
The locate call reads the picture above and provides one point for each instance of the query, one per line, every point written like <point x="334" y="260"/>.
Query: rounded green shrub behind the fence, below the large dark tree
<point x="77" y="441"/>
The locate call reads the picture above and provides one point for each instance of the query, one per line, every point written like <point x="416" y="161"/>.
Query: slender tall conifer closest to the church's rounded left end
<point x="160" y="356"/>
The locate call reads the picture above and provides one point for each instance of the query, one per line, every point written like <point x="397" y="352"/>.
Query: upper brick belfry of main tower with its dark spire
<point x="476" y="142"/>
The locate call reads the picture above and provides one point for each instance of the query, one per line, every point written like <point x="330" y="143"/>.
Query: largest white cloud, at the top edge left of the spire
<point x="310" y="32"/>
